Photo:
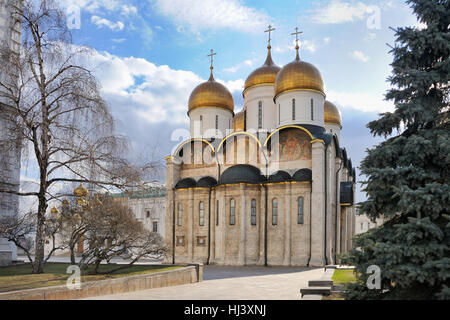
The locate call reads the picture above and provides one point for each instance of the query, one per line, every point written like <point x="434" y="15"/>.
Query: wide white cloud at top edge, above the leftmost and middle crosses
<point x="212" y="14"/>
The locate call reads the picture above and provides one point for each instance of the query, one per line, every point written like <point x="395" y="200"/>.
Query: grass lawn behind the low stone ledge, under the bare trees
<point x="19" y="277"/>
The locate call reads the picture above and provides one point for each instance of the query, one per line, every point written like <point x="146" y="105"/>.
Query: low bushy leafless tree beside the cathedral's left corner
<point x="112" y="231"/>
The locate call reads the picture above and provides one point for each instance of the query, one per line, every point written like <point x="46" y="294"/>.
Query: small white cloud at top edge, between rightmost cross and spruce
<point x="338" y="11"/>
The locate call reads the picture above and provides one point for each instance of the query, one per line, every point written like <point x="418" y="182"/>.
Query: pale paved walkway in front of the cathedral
<point x="235" y="283"/>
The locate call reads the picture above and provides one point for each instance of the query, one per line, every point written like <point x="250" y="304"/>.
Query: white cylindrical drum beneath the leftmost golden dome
<point x="205" y="127"/>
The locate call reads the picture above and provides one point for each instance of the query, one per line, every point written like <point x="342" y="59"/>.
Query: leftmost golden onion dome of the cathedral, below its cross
<point x="211" y="94"/>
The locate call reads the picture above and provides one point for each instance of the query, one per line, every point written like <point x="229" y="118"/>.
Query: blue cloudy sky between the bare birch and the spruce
<point x="149" y="56"/>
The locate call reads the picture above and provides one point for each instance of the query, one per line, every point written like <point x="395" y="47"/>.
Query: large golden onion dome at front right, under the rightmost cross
<point x="298" y="75"/>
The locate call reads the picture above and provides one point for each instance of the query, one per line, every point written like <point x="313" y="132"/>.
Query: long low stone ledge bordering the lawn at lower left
<point x="185" y="275"/>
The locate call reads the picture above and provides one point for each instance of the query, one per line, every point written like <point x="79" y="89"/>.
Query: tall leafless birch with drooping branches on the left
<point x="57" y="111"/>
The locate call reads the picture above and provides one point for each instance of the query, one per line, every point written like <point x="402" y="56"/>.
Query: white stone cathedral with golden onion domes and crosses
<point x="270" y="185"/>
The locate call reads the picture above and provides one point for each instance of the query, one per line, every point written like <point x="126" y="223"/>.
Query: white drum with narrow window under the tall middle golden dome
<point x="252" y="97"/>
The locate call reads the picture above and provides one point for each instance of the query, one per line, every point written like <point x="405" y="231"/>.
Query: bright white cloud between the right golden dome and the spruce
<point x="365" y="102"/>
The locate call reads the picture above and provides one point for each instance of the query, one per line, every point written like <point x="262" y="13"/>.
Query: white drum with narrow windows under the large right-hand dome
<point x="302" y="108"/>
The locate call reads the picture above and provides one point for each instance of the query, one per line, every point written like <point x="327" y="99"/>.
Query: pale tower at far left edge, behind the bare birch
<point x="10" y="33"/>
